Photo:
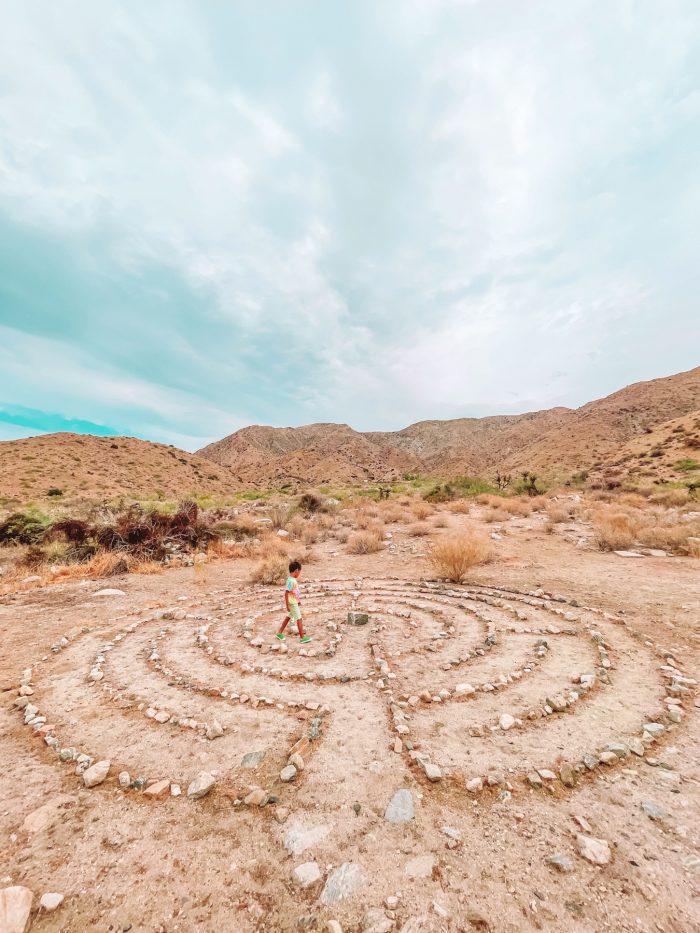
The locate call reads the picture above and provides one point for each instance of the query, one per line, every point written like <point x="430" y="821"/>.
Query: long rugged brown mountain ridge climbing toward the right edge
<point x="555" y="442"/>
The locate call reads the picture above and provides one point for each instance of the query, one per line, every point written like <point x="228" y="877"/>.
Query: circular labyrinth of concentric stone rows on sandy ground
<point x="476" y="689"/>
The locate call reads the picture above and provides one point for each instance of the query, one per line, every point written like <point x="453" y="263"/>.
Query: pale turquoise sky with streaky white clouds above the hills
<point x="220" y="213"/>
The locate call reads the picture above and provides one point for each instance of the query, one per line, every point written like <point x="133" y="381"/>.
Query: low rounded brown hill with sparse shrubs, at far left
<point x="104" y="467"/>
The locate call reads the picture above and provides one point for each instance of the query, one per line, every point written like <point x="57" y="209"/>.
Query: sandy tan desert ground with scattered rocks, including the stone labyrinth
<point x="539" y="721"/>
